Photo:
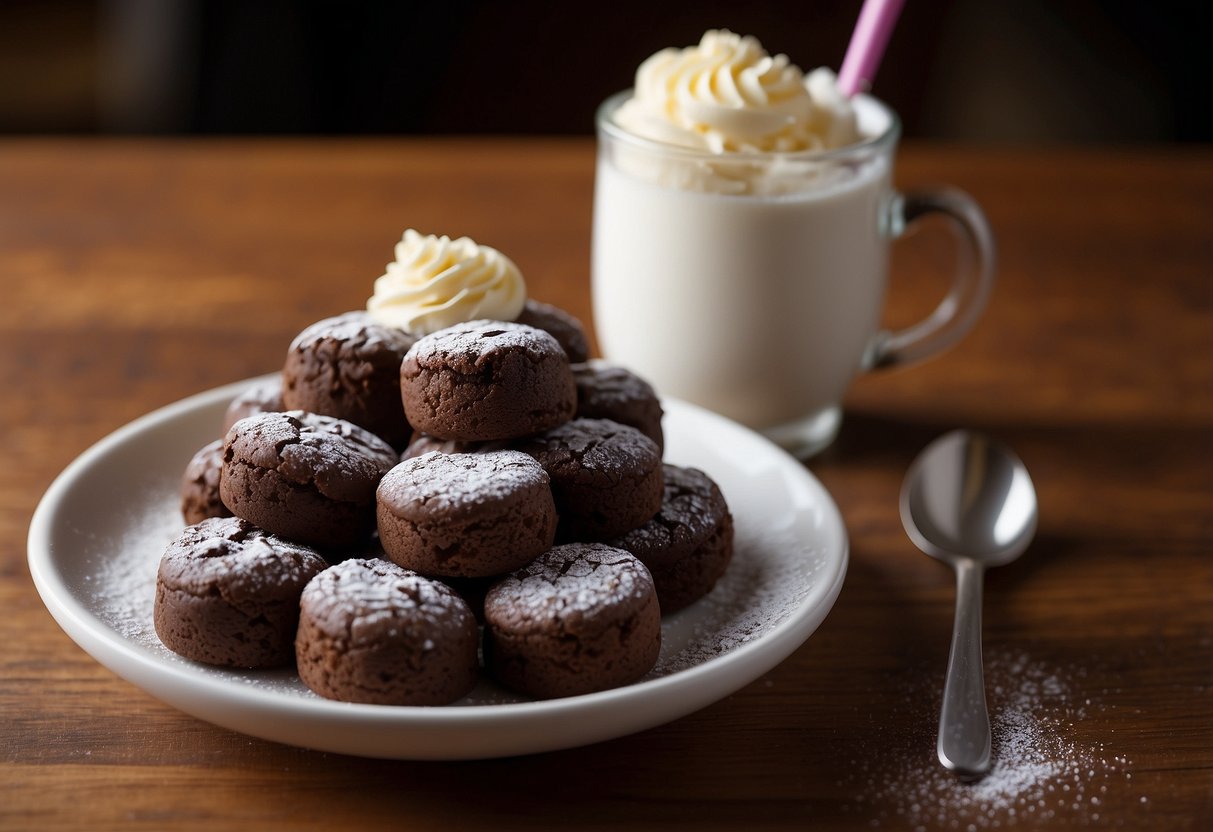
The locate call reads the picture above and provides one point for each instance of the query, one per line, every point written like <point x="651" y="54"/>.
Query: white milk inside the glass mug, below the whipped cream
<point x="760" y="307"/>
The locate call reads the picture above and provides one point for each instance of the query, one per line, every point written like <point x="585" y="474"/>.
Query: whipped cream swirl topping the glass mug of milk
<point x="730" y="95"/>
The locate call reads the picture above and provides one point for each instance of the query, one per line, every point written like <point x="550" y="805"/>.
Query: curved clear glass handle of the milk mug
<point x="963" y="306"/>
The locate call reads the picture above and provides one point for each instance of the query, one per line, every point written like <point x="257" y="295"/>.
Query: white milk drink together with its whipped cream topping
<point x="741" y="243"/>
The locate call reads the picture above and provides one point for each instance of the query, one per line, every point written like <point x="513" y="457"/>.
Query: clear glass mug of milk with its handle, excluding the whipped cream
<point x="754" y="284"/>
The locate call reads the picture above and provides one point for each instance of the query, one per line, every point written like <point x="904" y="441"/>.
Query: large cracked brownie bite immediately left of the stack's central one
<point x="306" y="477"/>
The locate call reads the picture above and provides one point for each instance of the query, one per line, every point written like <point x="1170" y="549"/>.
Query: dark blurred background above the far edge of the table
<point x="987" y="71"/>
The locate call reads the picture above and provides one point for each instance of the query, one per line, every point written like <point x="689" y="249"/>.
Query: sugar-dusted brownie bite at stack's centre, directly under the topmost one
<point x="466" y="515"/>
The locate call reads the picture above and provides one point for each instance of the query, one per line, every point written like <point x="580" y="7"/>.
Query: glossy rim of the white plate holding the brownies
<point x="126" y="659"/>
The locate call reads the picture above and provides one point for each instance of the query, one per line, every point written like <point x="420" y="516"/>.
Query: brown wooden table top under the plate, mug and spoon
<point x="135" y="273"/>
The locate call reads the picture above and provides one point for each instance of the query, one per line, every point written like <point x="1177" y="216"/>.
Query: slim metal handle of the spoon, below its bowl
<point x="964" y="722"/>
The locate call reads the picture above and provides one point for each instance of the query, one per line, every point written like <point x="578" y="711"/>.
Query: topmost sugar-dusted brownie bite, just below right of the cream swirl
<point x="487" y="380"/>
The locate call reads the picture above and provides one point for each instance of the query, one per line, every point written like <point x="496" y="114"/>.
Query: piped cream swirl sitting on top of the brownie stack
<point x="437" y="282"/>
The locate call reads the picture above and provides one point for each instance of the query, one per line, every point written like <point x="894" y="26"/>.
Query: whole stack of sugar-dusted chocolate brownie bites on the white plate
<point x="398" y="515"/>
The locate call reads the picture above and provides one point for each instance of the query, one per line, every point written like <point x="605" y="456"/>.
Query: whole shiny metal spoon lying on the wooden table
<point x="970" y="503"/>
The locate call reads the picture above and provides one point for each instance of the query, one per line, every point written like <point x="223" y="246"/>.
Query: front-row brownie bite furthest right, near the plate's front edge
<point x="582" y="618"/>
